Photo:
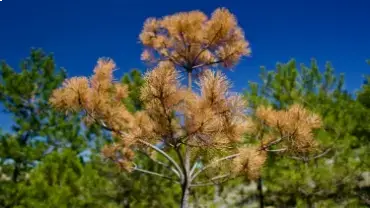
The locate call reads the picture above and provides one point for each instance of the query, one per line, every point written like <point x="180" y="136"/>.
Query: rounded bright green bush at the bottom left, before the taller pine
<point x="63" y="180"/>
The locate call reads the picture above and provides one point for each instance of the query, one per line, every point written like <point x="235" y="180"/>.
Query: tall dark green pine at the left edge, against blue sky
<point x="37" y="129"/>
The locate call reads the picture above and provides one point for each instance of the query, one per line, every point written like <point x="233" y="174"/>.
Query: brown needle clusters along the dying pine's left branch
<point x="100" y="99"/>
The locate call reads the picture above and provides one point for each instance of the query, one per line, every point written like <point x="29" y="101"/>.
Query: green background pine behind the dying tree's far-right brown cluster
<point x="327" y="177"/>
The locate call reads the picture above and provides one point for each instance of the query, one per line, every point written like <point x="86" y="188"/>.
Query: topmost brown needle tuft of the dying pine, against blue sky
<point x="192" y="40"/>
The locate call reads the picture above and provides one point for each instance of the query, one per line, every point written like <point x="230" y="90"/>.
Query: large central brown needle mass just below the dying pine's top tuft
<point x="209" y="119"/>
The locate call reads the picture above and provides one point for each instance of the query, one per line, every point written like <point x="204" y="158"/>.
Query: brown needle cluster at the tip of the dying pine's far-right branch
<point x="293" y="126"/>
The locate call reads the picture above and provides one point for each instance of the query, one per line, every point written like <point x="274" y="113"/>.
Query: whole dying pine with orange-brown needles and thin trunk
<point x="199" y="132"/>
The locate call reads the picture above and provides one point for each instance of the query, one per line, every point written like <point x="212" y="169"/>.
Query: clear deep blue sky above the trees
<point x="78" y="32"/>
